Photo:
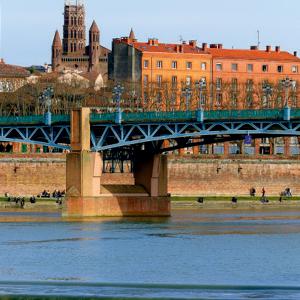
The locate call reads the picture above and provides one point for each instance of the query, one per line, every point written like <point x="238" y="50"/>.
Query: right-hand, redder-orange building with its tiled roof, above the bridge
<point x="254" y="75"/>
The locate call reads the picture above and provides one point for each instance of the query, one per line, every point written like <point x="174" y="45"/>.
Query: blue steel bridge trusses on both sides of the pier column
<point x="112" y="136"/>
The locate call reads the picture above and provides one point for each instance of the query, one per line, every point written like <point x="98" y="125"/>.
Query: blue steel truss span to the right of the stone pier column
<point x="105" y="137"/>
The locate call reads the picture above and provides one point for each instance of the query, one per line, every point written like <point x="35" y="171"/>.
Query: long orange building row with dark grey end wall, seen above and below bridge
<point x="227" y="79"/>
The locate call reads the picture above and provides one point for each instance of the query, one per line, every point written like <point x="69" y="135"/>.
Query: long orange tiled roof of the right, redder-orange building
<point x="252" y="54"/>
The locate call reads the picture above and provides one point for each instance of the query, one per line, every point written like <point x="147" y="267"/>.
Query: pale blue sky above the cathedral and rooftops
<point x="28" y="26"/>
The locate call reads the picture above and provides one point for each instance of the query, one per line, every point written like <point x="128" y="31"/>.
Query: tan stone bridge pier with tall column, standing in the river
<point x="83" y="180"/>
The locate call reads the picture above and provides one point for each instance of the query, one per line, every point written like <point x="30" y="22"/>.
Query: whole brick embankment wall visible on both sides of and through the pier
<point x="31" y="174"/>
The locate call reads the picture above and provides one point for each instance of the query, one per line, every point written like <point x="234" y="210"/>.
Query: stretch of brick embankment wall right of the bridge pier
<point x="232" y="177"/>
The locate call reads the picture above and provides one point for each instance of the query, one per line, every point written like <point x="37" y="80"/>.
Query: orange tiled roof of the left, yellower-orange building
<point x="167" y="48"/>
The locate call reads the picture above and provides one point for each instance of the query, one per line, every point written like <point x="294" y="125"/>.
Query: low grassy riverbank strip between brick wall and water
<point x="177" y="203"/>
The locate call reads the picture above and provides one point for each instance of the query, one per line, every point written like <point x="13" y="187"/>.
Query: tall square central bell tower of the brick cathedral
<point x="74" y="36"/>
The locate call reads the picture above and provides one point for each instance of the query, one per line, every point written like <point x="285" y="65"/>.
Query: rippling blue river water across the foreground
<point x="193" y="255"/>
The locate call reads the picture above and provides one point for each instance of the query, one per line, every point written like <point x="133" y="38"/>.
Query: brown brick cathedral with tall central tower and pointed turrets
<point x="72" y="52"/>
